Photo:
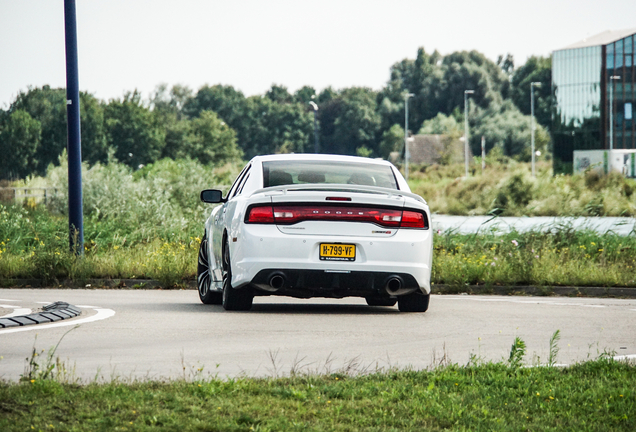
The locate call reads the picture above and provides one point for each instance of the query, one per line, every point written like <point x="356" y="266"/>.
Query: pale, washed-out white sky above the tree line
<point x="251" y="44"/>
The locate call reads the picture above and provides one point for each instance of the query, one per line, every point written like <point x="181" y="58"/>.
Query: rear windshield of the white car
<point x="279" y="173"/>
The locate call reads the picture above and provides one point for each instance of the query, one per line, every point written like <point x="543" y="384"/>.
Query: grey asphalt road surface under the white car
<point x="139" y="334"/>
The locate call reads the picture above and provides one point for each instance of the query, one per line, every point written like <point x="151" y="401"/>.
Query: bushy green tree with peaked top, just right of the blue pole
<point x="133" y="131"/>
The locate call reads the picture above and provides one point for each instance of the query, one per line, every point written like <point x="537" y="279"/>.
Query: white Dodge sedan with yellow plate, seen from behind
<point x="307" y="225"/>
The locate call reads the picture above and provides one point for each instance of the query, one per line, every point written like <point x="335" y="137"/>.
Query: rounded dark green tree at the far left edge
<point x="19" y="140"/>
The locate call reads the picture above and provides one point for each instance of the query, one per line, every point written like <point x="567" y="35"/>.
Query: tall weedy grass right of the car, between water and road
<point x="560" y="257"/>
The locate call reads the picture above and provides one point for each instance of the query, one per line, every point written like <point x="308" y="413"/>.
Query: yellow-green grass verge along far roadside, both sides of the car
<point x="34" y="245"/>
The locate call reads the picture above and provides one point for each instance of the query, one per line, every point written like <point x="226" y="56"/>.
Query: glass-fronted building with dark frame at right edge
<point x="593" y="88"/>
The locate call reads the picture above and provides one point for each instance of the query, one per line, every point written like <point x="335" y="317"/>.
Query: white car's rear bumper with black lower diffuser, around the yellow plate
<point x="263" y="250"/>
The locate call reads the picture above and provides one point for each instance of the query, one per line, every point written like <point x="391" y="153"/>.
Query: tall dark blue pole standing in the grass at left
<point x="74" y="150"/>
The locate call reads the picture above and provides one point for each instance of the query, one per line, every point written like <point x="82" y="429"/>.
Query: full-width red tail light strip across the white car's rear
<point x="289" y="215"/>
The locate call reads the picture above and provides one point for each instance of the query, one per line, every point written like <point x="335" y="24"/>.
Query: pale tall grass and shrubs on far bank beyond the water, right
<point x="510" y="190"/>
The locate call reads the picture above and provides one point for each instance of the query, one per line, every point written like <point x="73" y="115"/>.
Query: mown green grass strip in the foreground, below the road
<point x="597" y="395"/>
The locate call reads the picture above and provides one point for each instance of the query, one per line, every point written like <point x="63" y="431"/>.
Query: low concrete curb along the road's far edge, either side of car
<point x="567" y="291"/>
